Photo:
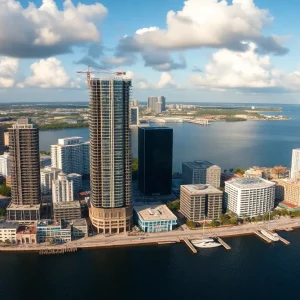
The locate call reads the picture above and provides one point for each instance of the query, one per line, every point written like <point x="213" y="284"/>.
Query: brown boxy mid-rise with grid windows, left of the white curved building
<point x="200" y="201"/>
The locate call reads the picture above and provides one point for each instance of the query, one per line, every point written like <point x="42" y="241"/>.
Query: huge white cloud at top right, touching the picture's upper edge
<point x="208" y="23"/>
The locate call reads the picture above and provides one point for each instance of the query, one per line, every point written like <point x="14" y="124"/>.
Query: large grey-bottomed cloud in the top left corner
<point x="43" y="31"/>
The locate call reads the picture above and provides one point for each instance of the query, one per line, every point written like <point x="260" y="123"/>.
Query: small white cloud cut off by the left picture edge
<point x="8" y="70"/>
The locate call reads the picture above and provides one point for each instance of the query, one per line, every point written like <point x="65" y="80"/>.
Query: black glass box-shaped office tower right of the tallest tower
<point x="155" y="153"/>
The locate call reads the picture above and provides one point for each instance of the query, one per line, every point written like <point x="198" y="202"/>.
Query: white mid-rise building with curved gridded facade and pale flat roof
<point x="249" y="197"/>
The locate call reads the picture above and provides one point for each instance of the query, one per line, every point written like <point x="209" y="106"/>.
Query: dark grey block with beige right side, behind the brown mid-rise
<point x="201" y="172"/>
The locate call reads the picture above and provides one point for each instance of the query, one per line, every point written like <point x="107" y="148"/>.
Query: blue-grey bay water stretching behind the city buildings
<point x="229" y="144"/>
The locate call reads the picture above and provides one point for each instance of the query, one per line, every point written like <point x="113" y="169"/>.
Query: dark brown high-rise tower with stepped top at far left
<point x="25" y="171"/>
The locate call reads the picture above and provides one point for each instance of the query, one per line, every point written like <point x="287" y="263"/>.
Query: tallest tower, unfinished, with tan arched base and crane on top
<point x="110" y="155"/>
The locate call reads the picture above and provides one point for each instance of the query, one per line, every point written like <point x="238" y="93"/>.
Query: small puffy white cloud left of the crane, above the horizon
<point x="49" y="73"/>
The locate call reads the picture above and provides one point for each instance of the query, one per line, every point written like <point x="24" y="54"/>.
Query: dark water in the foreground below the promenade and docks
<point x="251" y="270"/>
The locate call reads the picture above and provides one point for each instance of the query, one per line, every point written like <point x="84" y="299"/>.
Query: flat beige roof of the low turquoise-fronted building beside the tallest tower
<point x="154" y="212"/>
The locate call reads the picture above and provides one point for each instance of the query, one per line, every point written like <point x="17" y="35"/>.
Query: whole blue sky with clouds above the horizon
<point x="189" y="51"/>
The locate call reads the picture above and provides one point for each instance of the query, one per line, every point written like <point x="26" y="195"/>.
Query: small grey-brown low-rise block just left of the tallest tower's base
<point x="67" y="210"/>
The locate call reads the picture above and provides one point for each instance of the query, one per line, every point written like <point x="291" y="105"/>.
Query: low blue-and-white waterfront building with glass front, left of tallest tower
<point x="55" y="231"/>
